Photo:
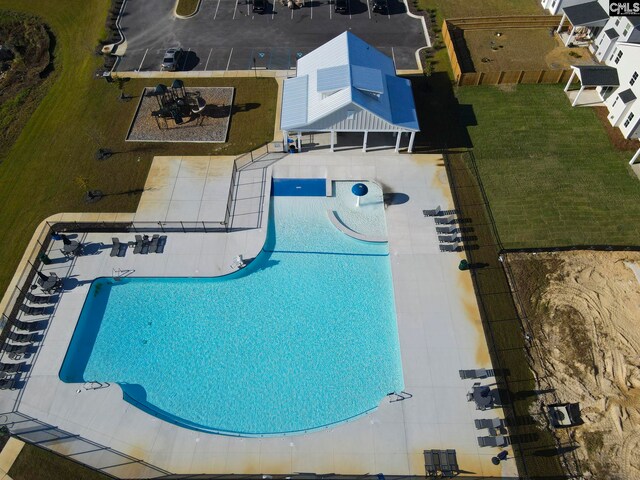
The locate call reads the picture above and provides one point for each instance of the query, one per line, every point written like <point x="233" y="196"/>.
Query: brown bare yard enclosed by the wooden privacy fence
<point x="521" y="49"/>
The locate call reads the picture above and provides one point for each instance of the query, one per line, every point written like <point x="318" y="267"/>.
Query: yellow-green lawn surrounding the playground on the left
<point x="78" y="115"/>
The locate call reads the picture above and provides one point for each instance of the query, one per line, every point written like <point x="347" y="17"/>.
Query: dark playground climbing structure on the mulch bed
<point x="176" y="103"/>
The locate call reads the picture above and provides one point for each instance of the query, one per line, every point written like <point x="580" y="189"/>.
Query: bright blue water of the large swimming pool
<point x="302" y="338"/>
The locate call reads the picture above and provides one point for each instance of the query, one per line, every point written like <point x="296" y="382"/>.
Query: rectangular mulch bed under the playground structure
<point x="210" y="126"/>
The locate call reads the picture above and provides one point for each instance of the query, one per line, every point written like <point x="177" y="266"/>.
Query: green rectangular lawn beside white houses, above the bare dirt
<point x="550" y="173"/>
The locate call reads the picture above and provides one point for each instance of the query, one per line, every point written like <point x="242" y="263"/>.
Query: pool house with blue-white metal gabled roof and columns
<point x="346" y="85"/>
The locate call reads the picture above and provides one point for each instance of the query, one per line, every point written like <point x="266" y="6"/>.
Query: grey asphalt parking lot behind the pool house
<point x="228" y="35"/>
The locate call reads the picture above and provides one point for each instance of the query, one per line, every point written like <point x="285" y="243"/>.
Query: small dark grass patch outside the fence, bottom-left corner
<point x="35" y="463"/>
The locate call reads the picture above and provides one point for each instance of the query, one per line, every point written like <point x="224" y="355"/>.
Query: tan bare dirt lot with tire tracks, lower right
<point x="583" y="312"/>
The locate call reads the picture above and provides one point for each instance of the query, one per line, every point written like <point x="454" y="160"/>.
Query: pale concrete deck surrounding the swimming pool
<point x="438" y="323"/>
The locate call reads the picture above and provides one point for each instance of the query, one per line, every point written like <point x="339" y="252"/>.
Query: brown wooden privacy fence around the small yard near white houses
<point x="453" y="37"/>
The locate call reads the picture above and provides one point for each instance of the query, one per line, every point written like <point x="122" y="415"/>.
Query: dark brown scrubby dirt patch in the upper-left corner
<point x="25" y="63"/>
